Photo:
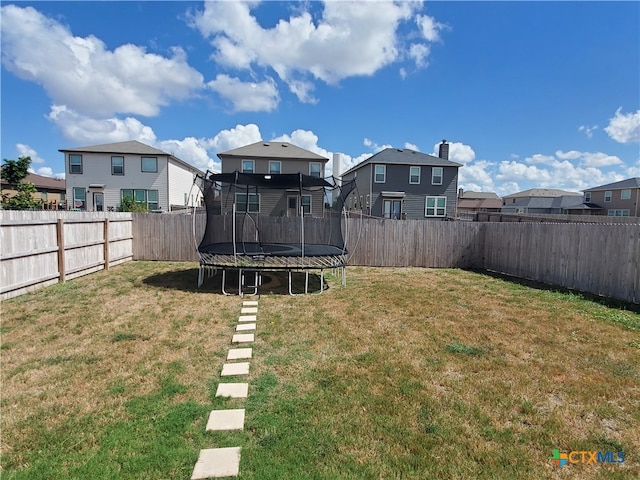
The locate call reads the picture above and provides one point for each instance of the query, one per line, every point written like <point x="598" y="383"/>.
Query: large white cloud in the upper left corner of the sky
<point x="83" y="74"/>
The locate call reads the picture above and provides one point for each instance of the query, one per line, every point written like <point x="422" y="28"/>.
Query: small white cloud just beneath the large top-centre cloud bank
<point x="246" y="96"/>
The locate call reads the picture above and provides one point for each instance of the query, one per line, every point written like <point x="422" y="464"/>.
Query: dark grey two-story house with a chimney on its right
<point x="402" y="183"/>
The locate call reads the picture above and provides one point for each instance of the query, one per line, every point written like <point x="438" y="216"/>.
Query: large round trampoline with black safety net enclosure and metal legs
<point x="250" y="243"/>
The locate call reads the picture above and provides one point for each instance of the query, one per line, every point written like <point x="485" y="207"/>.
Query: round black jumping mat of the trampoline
<point x="272" y="249"/>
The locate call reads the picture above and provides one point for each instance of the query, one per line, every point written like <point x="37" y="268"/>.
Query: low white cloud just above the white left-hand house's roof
<point x="84" y="130"/>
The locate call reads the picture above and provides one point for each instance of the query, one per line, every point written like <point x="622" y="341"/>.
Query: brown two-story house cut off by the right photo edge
<point x="617" y="199"/>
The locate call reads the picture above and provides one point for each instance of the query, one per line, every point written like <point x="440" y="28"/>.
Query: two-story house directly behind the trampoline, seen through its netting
<point x="273" y="158"/>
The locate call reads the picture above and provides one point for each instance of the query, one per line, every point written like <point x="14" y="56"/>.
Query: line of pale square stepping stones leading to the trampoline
<point x="225" y="462"/>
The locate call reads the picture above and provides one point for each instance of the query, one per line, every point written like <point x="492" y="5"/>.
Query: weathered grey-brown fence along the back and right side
<point x="603" y="259"/>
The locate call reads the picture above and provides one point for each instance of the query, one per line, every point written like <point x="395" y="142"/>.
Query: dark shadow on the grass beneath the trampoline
<point x="274" y="283"/>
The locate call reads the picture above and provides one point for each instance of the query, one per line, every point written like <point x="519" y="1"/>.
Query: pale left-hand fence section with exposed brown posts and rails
<point x="43" y="248"/>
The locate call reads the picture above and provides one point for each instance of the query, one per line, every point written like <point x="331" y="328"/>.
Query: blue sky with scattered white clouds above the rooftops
<point x="530" y="94"/>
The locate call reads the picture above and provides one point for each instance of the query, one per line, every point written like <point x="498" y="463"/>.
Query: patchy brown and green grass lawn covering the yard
<point x="406" y="373"/>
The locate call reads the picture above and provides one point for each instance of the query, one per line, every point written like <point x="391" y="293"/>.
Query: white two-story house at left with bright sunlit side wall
<point x="99" y="176"/>
